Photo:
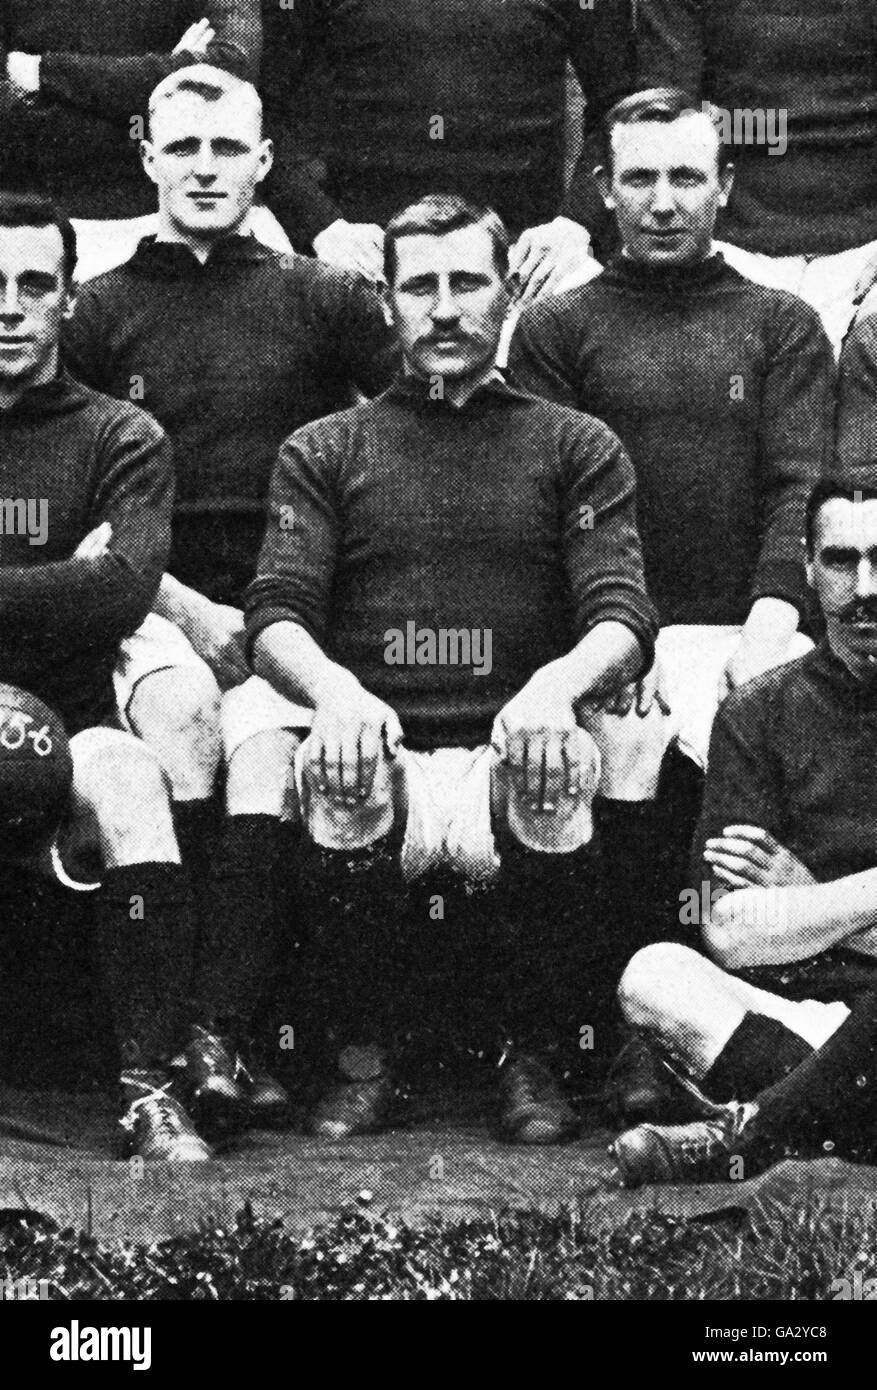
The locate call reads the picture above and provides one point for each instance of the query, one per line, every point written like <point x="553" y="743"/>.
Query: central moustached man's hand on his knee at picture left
<point x="350" y="733"/>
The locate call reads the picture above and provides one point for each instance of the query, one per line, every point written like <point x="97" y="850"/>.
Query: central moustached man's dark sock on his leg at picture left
<point x="355" y="904"/>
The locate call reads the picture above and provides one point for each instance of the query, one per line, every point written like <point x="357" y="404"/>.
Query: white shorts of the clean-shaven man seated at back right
<point x="693" y="658"/>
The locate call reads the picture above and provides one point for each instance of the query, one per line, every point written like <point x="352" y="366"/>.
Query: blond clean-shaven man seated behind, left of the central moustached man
<point x="231" y="347"/>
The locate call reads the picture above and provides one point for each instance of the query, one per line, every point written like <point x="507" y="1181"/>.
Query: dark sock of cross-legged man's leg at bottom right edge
<point x="832" y="1096"/>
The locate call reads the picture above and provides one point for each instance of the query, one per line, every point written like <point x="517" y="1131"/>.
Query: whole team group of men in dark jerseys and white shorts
<point x="438" y="566"/>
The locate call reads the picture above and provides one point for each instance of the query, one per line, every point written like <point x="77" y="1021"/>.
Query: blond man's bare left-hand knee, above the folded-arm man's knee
<point x="177" y="712"/>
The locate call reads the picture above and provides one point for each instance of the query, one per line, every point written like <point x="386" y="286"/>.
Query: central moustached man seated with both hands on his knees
<point x="464" y="572"/>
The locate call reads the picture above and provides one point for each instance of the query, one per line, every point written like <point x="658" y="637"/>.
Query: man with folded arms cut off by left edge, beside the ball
<point x="101" y="472"/>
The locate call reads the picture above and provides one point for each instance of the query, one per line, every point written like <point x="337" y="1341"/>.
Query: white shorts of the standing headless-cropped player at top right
<point x="826" y="283"/>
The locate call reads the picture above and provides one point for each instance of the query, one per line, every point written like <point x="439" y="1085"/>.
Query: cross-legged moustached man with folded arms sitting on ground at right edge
<point x="786" y="865"/>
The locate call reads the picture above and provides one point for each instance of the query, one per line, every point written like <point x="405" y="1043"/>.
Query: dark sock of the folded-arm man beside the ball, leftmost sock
<point x="145" y="939"/>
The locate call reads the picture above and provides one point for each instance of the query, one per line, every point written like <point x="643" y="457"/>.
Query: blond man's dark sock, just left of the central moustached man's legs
<point x="240" y="929"/>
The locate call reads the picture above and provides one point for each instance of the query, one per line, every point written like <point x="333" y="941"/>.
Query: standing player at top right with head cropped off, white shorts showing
<point x="797" y="94"/>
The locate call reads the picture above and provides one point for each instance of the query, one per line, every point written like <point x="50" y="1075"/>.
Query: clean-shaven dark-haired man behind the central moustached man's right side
<point x="722" y="393"/>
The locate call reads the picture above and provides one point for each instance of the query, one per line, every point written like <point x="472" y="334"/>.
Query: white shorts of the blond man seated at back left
<point x="251" y="708"/>
